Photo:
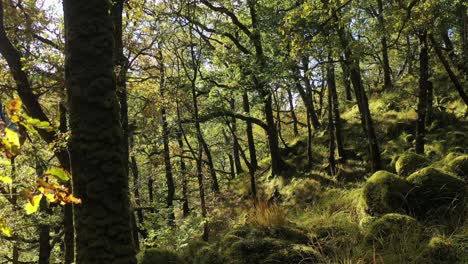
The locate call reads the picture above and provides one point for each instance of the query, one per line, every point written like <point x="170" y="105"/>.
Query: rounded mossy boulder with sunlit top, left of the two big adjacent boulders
<point x="385" y="192"/>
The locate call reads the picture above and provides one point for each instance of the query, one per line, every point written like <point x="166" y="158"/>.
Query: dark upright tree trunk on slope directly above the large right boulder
<point x="422" y="93"/>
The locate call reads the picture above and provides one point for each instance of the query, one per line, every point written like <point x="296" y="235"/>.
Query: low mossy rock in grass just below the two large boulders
<point x="394" y="228"/>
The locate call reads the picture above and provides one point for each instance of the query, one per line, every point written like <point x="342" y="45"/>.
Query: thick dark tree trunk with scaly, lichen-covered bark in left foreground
<point x="103" y="231"/>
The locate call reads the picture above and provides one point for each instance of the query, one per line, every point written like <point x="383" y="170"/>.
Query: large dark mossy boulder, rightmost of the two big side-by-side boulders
<point x="436" y="193"/>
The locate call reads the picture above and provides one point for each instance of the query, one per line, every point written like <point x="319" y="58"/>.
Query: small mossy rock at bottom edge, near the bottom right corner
<point x="440" y="250"/>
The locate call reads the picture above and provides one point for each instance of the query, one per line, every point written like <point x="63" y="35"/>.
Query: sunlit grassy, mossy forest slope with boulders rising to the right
<point x="352" y="217"/>
